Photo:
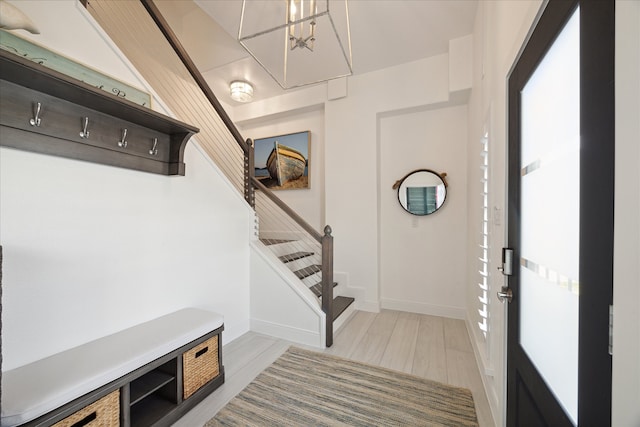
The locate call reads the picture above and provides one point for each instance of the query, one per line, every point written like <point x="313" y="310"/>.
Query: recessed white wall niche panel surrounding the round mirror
<point x="420" y="256"/>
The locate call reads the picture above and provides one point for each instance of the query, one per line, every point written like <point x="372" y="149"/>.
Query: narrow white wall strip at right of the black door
<point x="626" y="281"/>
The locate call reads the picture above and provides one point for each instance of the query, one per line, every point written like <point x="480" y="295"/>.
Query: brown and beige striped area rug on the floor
<point x="306" y="388"/>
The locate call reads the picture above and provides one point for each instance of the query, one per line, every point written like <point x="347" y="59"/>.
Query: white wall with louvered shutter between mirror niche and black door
<point x="500" y="30"/>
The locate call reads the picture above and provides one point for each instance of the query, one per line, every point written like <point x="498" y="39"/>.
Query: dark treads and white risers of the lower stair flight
<point x="311" y="272"/>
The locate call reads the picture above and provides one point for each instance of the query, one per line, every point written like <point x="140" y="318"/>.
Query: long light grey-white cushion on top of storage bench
<point x="42" y="386"/>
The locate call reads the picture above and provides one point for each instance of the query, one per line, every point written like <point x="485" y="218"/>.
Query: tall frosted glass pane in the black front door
<point x="550" y="198"/>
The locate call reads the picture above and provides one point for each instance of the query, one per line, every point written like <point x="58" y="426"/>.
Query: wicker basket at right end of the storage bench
<point x="200" y="365"/>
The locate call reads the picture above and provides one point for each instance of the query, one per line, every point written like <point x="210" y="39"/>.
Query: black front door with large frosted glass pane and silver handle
<point x="560" y="198"/>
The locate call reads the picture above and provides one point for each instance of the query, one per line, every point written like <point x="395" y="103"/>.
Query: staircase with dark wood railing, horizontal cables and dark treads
<point x="144" y="36"/>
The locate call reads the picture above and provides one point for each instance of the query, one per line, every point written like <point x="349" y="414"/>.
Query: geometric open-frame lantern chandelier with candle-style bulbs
<point x="298" y="42"/>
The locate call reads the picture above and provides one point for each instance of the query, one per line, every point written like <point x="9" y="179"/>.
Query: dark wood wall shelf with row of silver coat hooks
<point x="65" y="102"/>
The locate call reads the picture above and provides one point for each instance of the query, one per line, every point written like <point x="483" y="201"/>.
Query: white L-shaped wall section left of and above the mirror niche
<point x="353" y="164"/>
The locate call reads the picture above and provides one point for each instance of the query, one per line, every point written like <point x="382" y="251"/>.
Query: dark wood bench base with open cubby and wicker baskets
<point x="151" y="395"/>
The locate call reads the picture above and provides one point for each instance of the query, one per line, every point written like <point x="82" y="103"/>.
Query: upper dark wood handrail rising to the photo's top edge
<point x="171" y="37"/>
